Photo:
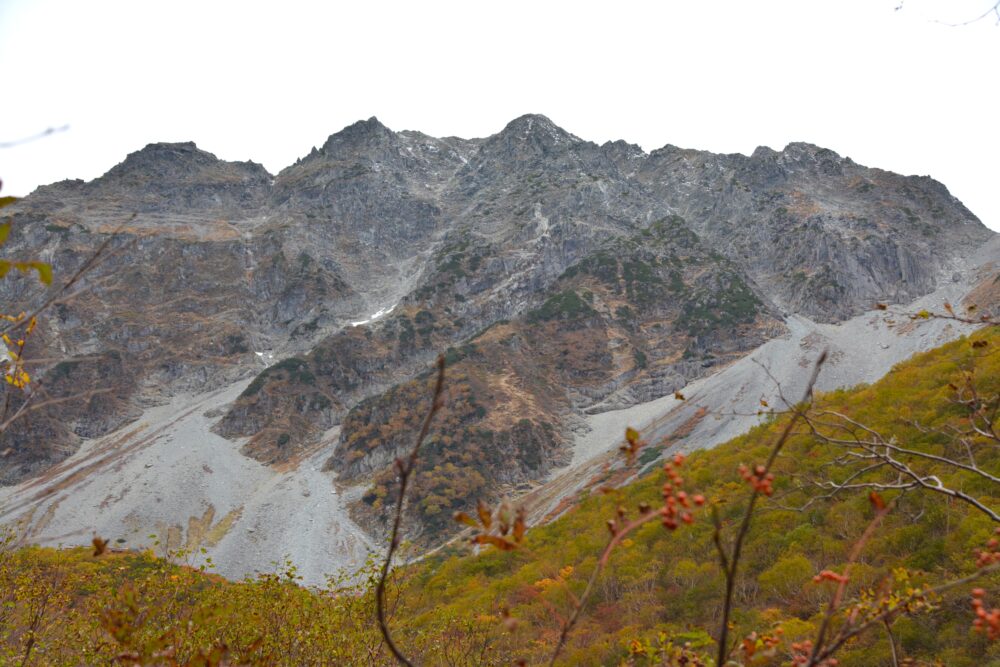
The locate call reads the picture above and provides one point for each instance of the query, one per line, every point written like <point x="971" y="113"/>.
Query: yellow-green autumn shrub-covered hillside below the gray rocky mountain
<point x="660" y="586"/>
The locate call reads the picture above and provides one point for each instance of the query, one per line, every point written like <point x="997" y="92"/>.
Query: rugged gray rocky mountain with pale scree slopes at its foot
<point x="247" y="319"/>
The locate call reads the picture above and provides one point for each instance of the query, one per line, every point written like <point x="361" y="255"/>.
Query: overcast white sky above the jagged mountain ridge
<point x="266" y="81"/>
